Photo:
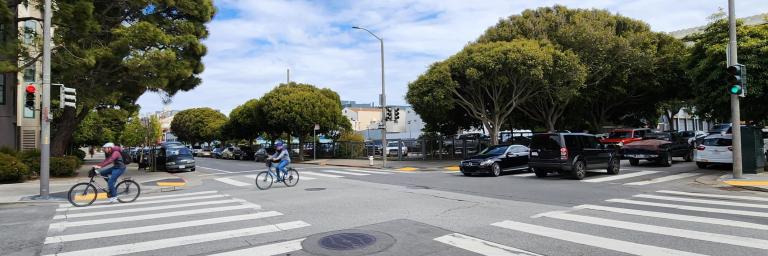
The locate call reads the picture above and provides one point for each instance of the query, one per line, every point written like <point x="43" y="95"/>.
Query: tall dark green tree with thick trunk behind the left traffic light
<point x="112" y="52"/>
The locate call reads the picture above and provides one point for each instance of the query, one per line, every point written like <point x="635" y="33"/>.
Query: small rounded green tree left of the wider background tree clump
<point x="198" y="125"/>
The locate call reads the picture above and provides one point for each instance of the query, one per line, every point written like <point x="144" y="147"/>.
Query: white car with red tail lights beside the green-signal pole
<point x="715" y="149"/>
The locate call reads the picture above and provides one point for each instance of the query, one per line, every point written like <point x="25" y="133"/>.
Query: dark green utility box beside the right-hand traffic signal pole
<point x="752" y="150"/>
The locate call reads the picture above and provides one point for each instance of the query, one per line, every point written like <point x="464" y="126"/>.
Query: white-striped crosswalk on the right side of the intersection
<point x="695" y="224"/>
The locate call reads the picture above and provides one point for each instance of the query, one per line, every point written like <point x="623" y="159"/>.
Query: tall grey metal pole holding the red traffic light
<point x="45" y="121"/>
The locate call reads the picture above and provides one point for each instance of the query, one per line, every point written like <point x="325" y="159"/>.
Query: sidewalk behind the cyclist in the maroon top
<point x="58" y="187"/>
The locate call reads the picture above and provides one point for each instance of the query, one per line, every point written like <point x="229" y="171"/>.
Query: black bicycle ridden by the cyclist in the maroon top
<point x="85" y="193"/>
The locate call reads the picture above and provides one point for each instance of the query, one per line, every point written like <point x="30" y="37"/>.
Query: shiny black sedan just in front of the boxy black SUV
<point x="496" y="159"/>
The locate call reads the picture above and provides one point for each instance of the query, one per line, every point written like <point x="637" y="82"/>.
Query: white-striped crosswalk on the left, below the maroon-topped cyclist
<point x="160" y="225"/>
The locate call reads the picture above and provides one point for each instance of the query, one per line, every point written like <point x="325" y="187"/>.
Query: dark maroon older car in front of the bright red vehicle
<point x="659" y="147"/>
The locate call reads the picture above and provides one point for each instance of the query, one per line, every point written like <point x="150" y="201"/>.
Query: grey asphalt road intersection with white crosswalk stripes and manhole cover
<point x="645" y="210"/>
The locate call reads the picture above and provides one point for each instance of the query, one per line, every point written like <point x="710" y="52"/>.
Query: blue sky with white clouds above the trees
<point x="252" y="43"/>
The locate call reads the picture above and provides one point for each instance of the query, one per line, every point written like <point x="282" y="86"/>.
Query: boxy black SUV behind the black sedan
<point x="573" y="153"/>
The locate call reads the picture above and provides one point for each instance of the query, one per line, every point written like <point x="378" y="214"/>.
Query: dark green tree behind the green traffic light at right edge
<point x="707" y="63"/>
